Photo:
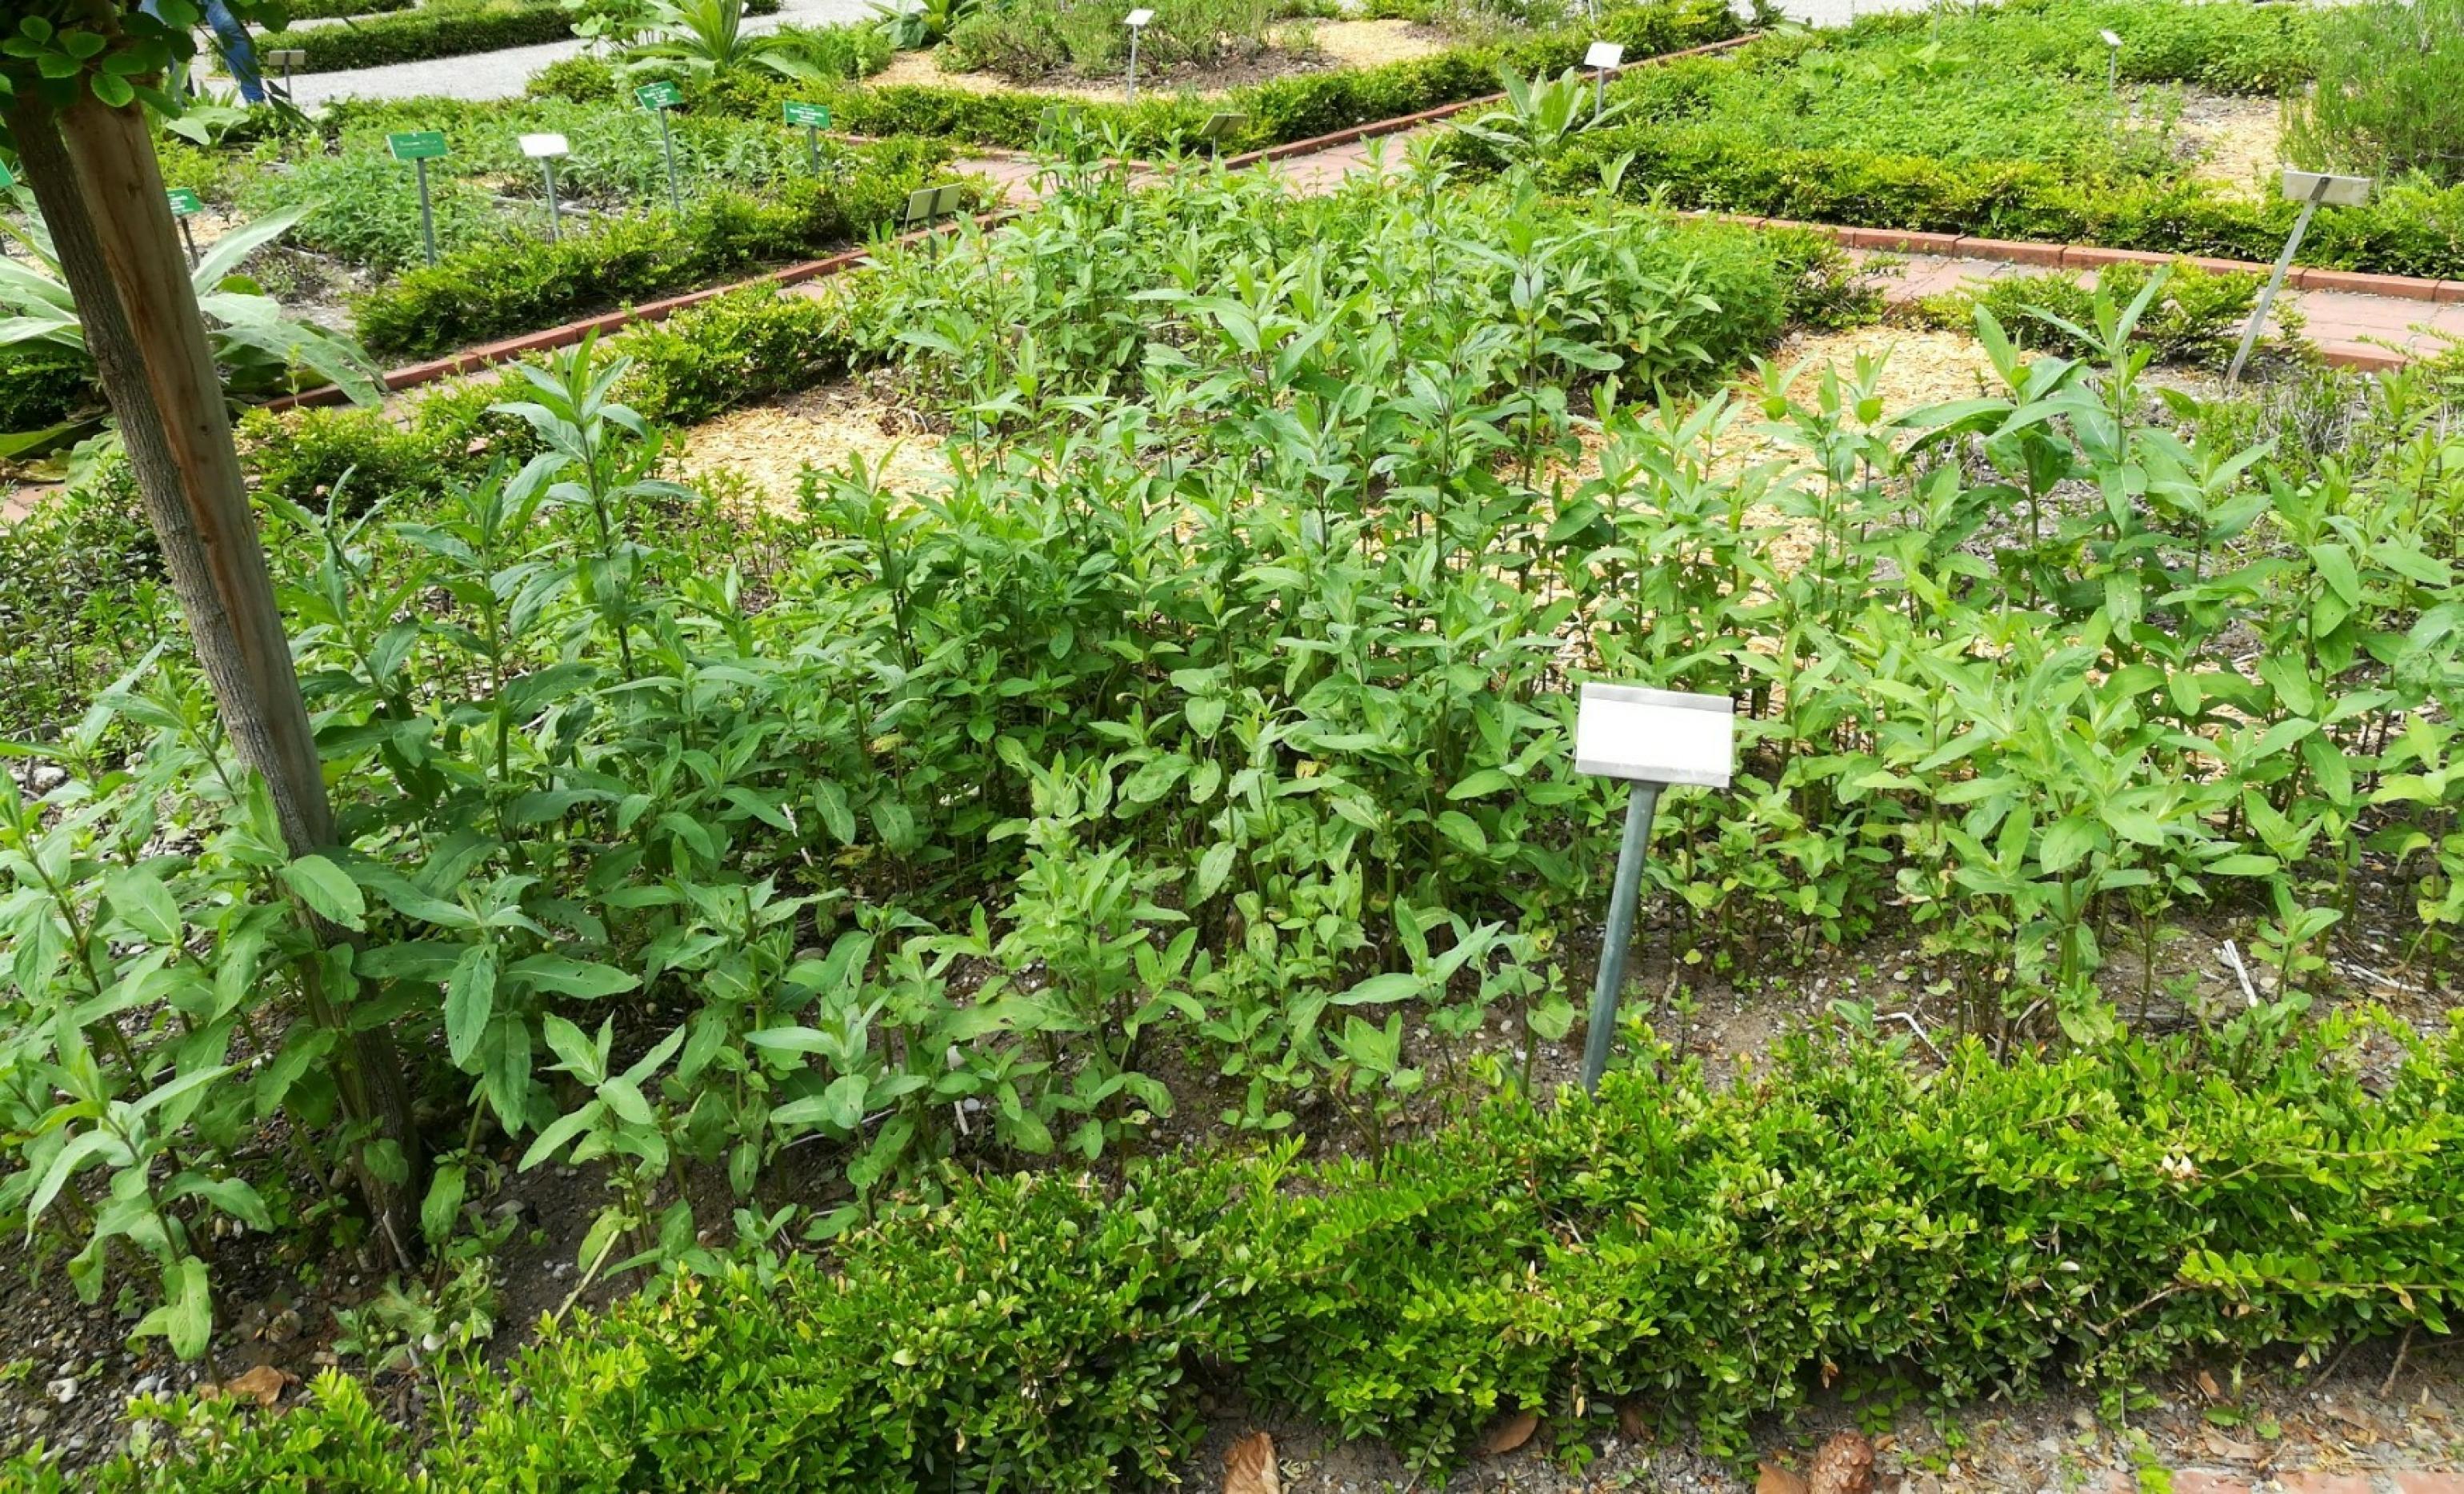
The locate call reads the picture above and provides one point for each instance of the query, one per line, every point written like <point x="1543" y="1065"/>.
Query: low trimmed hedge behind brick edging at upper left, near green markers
<point x="524" y="285"/>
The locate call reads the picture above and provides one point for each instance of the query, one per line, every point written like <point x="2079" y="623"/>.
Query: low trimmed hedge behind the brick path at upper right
<point x="2406" y="231"/>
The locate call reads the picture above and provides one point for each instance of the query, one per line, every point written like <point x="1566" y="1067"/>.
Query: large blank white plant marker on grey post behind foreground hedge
<point x="1650" y="738"/>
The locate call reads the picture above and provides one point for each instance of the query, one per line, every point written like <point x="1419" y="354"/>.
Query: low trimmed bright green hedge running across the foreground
<point x="1699" y="1254"/>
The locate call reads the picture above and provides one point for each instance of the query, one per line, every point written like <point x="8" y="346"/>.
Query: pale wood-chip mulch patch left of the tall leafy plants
<point x="772" y="445"/>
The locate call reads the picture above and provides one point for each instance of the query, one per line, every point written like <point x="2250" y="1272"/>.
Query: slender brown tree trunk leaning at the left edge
<point x="95" y="174"/>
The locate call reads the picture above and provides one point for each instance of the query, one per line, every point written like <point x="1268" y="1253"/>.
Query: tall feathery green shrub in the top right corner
<point x="2389" y="95"/>
